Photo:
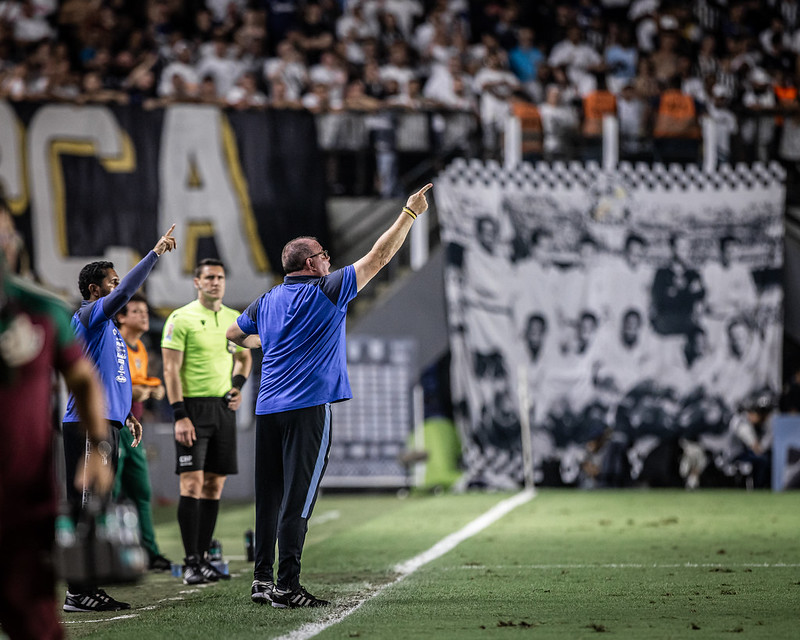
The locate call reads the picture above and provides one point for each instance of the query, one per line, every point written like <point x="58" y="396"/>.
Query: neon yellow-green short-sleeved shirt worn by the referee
<point x="207" y="353"/>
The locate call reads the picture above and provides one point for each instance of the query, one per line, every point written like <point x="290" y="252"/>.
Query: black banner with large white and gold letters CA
<point x="103" y="182"/>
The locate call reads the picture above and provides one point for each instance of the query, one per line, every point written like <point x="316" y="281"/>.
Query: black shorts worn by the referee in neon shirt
<point x="214" y="450"/>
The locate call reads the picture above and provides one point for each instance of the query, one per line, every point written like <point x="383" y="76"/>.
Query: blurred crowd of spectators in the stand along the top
<point x="657" y="64"/>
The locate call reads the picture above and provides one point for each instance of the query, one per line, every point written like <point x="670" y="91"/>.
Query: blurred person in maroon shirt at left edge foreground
<point x="35" y="340"/>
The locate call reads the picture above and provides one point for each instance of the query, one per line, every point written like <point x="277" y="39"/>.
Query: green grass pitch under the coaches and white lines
<point x="567" y="564"/>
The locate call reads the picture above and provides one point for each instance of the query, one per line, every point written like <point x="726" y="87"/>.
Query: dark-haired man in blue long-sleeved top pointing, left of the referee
<point x="104" y="295"/>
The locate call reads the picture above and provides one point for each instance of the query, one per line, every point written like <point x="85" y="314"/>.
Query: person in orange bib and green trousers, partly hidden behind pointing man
<point x="133" y="473"/>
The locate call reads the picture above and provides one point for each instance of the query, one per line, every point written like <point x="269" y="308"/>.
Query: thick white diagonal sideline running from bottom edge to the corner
<point x="408" y="567"/>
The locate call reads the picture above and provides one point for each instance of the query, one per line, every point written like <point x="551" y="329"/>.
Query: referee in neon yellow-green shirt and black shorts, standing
<point x="203" y="374"/>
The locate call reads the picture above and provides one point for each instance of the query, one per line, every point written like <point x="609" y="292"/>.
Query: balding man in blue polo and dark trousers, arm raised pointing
<point x="300" y="325"/>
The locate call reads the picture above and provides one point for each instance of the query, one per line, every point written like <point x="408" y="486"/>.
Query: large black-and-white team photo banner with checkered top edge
<point x="631" y="313"/>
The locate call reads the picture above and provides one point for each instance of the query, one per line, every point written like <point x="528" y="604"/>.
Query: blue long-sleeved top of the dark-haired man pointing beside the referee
<point x="104" y="346"/>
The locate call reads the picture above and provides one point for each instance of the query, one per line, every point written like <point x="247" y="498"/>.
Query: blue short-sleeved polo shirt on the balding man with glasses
<point x="301" y="324"/>
